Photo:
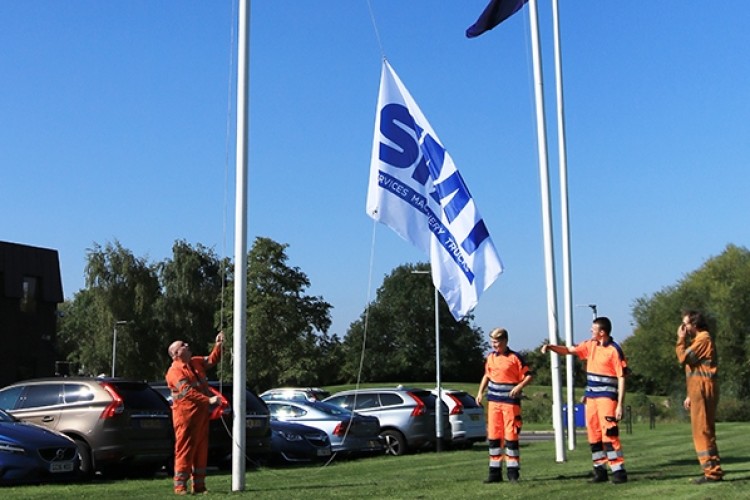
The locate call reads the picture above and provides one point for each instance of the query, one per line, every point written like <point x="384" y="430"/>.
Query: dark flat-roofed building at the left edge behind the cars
<point x="30" y="289"/>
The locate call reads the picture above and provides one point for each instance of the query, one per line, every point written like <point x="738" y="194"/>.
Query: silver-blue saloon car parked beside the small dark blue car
<point x="347" y="431"/>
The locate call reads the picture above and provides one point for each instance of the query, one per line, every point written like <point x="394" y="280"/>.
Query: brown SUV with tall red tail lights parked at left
<point x="118" y="425"/>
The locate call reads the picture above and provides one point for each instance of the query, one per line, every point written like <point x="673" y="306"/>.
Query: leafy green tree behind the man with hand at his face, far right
<point x="721" y="289"/>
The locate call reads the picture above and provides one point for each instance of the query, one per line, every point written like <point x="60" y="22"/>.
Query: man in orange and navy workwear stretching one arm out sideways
<point x="606" y="368"/>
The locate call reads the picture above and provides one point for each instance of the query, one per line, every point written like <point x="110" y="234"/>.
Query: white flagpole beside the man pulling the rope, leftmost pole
<point x="240" y="252"/>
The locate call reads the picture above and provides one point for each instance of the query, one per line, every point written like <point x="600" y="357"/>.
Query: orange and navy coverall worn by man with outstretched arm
<point x="605" y="364"/>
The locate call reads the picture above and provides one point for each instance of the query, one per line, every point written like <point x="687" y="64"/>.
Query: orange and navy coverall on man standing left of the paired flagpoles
<point x="504" y="371"/>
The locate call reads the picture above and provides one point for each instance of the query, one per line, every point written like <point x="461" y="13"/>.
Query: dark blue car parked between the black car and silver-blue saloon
<point x="292" y="442"/>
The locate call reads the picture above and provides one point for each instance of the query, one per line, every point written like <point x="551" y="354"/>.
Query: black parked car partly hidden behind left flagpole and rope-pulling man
<point x="257" y="423"/>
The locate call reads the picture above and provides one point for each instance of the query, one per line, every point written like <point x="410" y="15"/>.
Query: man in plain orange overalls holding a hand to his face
<point x="702" y="398"/>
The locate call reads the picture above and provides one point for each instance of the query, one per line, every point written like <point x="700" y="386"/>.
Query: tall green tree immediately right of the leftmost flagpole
<point x="287" y="341"/>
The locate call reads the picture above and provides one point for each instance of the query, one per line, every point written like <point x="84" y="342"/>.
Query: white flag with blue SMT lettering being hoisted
<point x="416" y="190"/>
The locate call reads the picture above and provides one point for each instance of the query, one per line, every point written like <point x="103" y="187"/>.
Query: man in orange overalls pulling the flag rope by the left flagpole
<point x="191" y="398"/>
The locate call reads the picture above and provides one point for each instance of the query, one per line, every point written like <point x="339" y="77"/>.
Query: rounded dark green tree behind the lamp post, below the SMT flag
<point x="398" y="332"/>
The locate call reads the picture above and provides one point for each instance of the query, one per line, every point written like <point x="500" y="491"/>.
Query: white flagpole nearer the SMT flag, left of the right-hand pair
<point x="547" y="226"/>
